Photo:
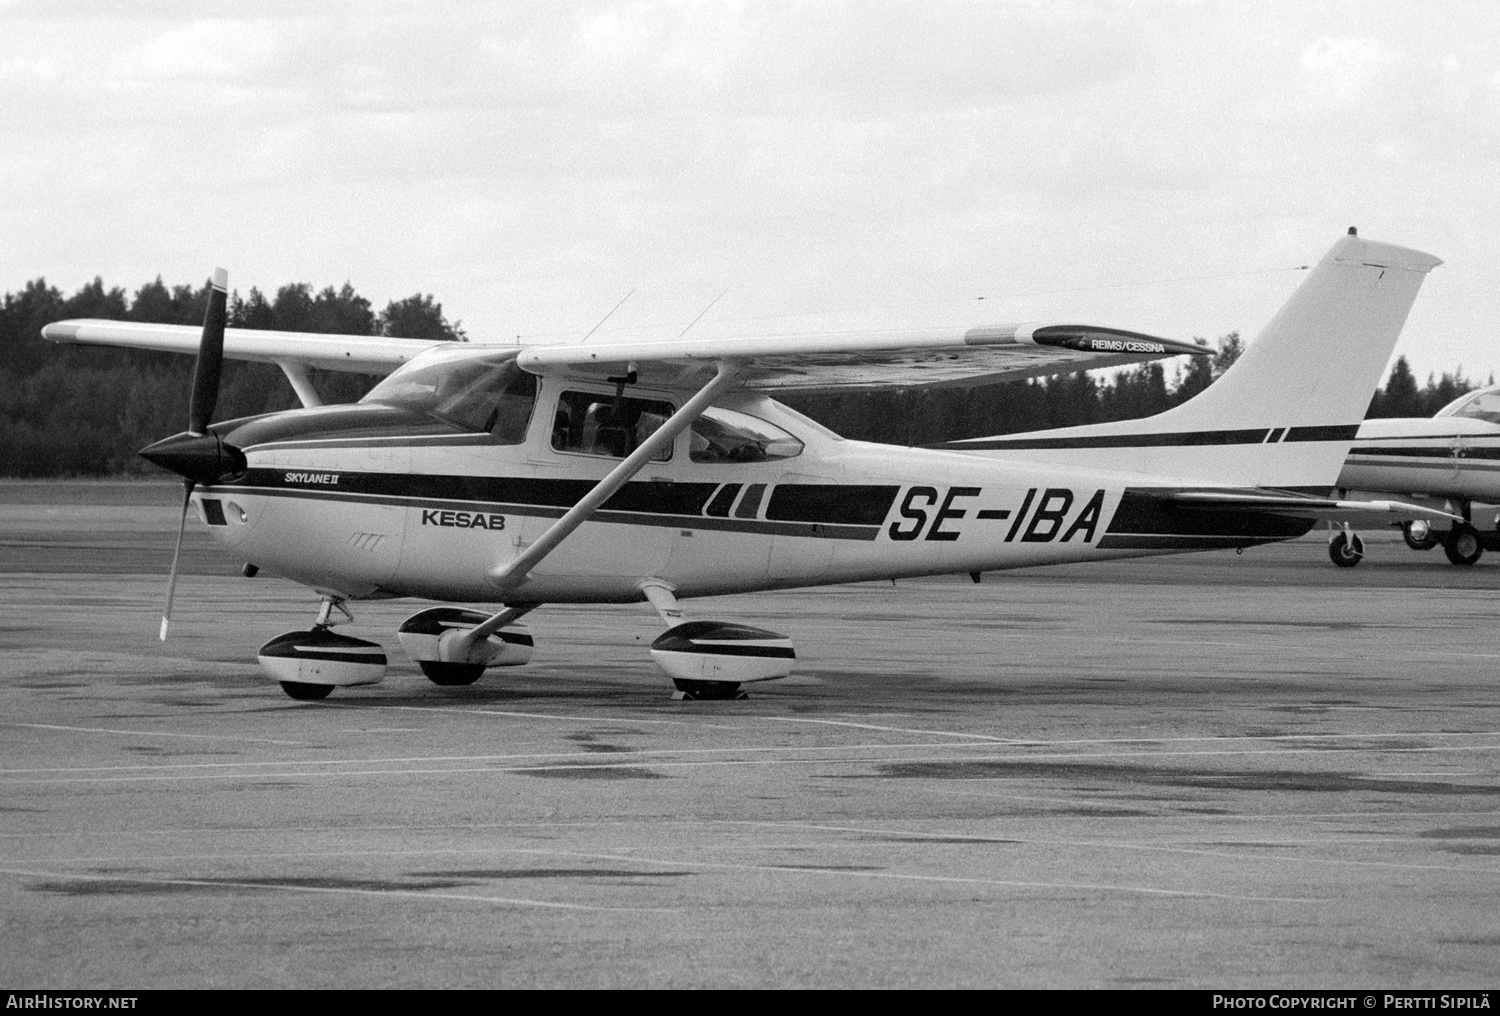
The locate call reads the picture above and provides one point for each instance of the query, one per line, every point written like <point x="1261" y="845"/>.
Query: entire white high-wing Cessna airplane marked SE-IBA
<point x="662" y="470"/>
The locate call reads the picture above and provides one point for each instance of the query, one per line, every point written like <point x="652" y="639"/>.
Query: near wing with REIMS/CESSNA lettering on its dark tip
<point x="869" y="359"/>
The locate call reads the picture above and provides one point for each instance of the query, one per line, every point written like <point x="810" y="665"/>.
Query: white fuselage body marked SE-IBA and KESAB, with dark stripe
<point x="403" y="514"/>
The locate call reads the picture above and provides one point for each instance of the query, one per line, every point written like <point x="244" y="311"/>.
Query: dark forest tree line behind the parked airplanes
<point x="86" y="412"/>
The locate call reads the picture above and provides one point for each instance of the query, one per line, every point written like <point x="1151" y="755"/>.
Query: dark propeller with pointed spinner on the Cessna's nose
<point x="197" y="455"/>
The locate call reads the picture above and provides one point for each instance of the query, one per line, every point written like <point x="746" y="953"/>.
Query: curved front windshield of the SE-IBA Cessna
<point x="473" y="392"/>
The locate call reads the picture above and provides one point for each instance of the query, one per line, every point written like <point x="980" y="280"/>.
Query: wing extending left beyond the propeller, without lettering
<point x="359" y="353"/>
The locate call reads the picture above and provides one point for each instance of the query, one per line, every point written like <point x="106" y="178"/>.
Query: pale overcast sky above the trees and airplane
<point x="1163" y="167"/>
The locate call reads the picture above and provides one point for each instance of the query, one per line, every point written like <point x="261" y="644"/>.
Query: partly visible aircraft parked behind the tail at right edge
<point x="1450" y="460"/>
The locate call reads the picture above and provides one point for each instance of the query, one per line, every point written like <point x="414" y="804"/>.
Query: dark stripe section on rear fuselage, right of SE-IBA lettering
<point x="1148" y="520"/>
